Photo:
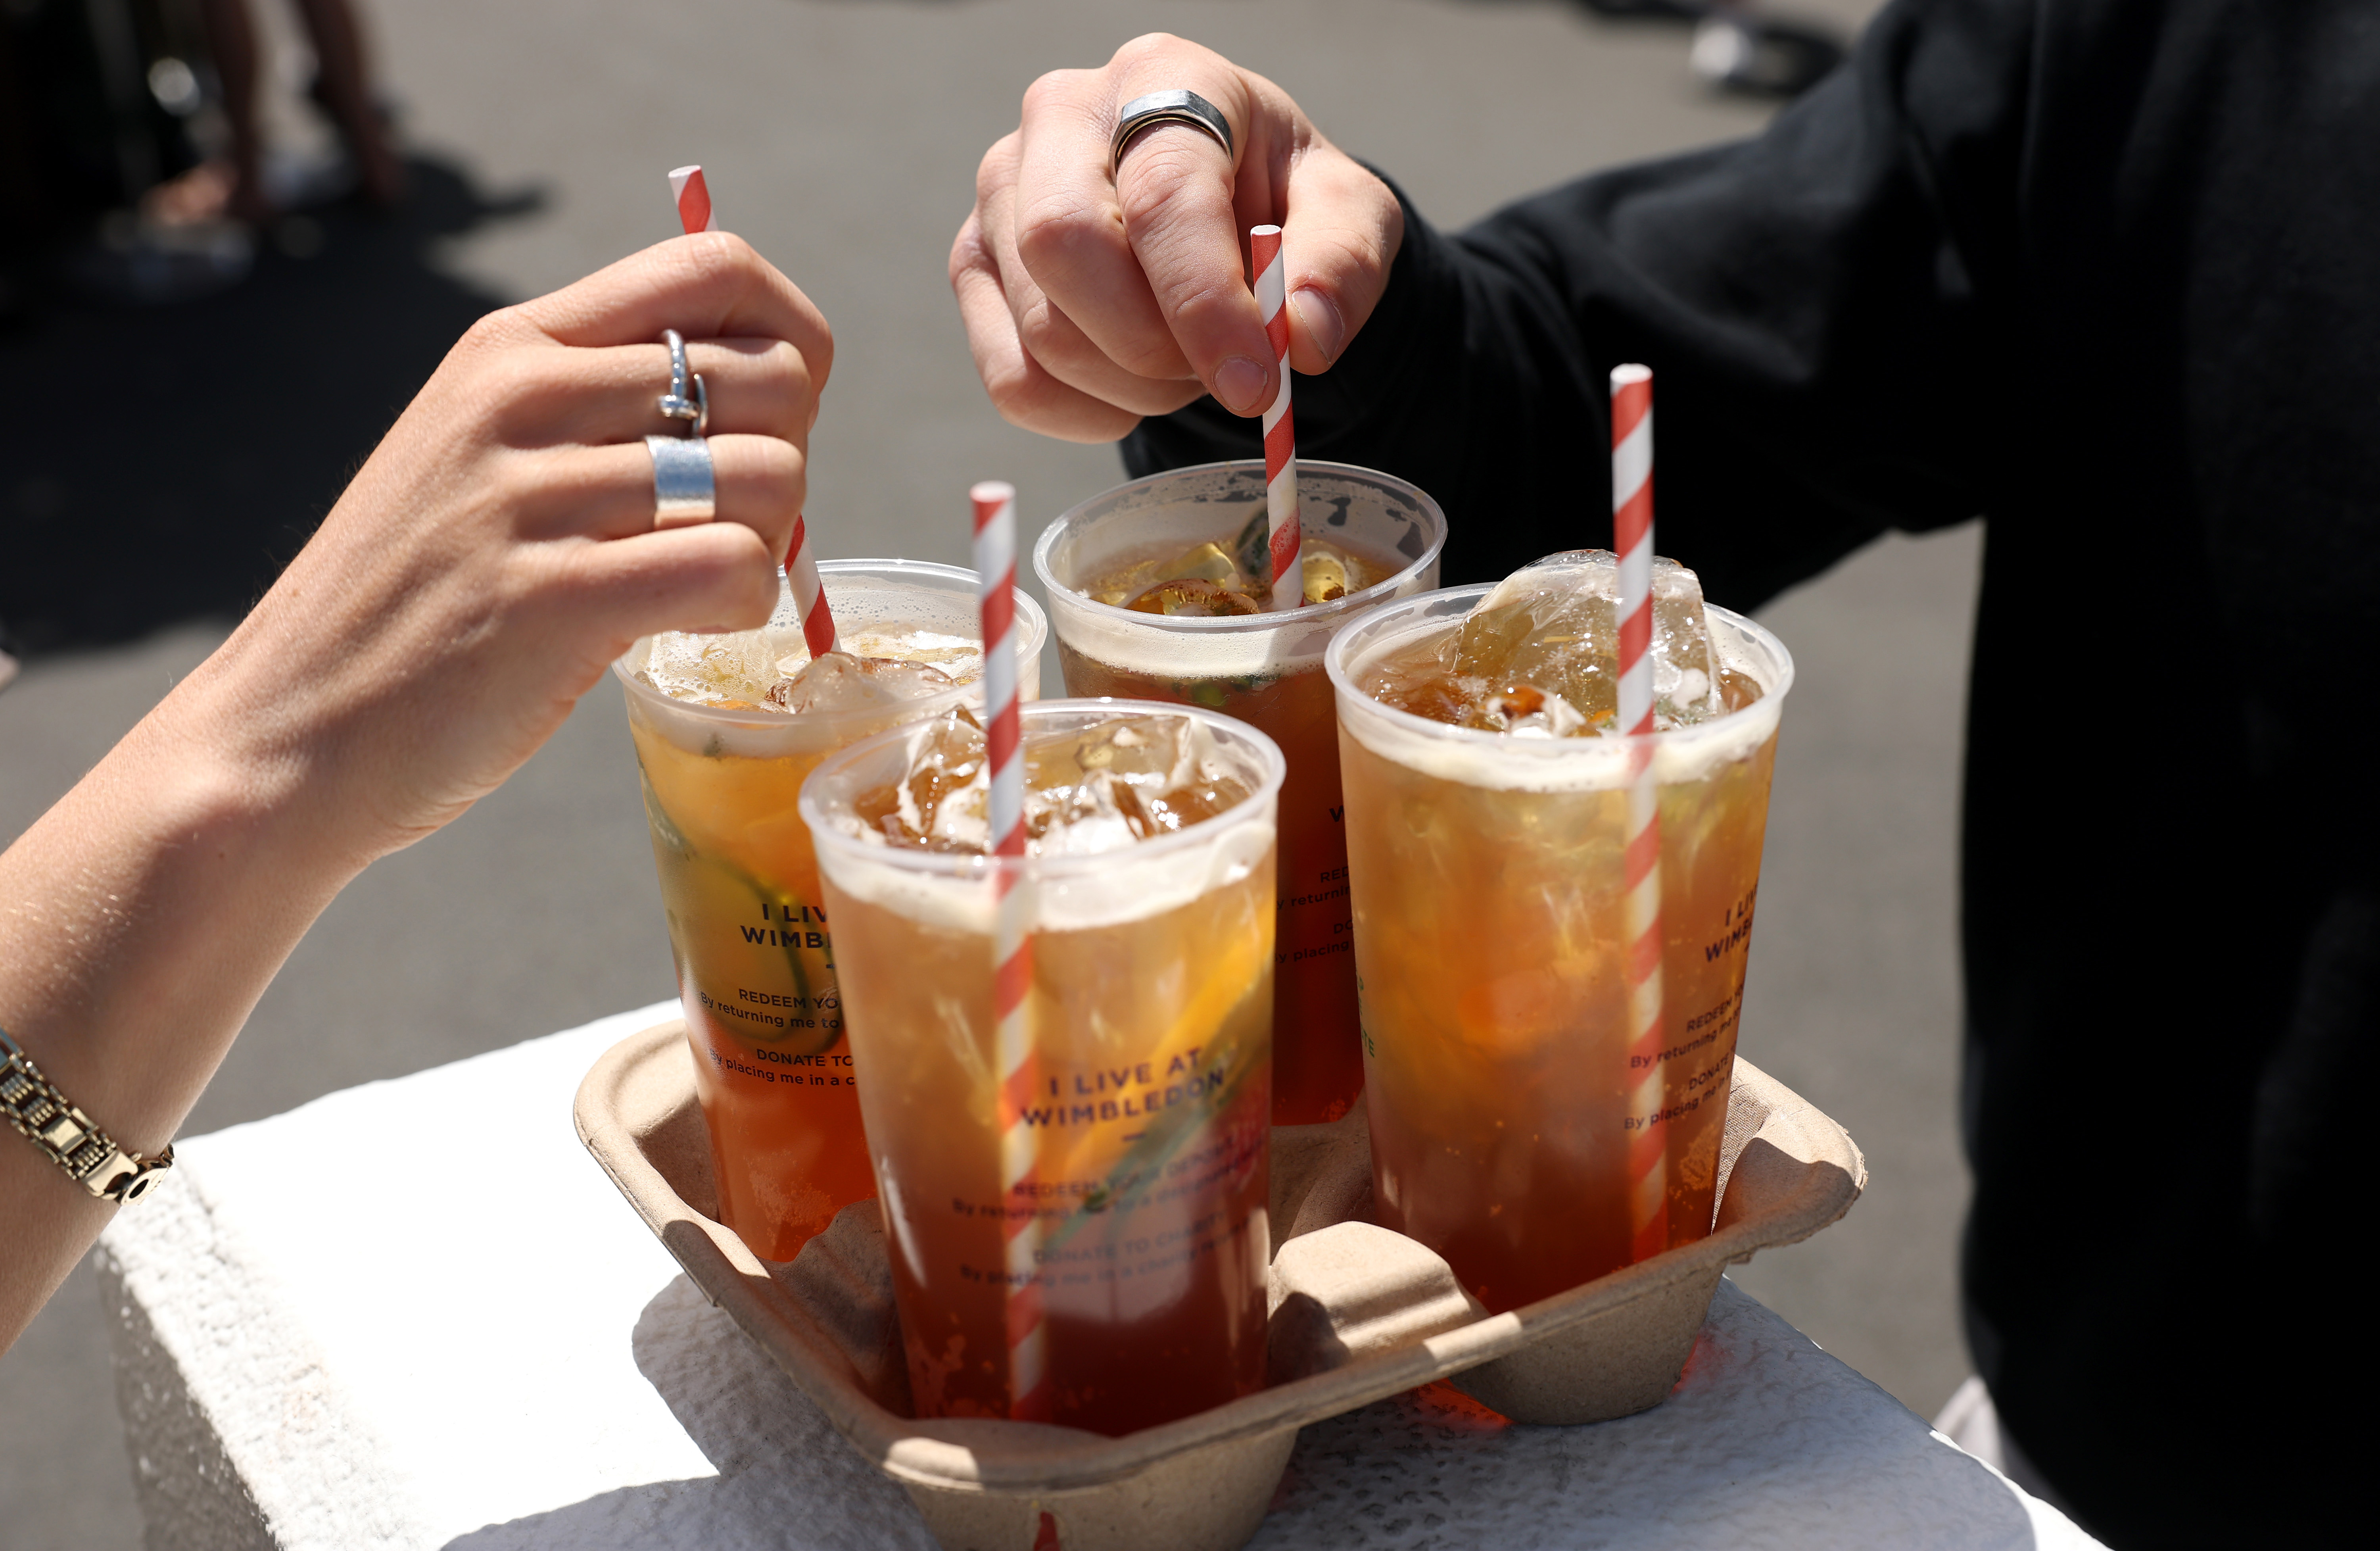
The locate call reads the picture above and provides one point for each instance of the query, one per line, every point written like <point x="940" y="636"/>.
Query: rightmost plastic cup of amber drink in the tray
<point x="1489" y="924"/>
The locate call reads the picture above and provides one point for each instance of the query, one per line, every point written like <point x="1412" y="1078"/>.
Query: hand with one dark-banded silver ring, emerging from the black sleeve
<point x="1098" y="296"/>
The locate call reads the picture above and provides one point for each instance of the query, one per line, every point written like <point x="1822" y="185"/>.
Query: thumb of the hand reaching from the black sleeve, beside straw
<point x="1341" y="234"/>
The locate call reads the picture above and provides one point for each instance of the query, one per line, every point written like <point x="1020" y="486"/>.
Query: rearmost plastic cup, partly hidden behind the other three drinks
<point x="1267" y="670"/>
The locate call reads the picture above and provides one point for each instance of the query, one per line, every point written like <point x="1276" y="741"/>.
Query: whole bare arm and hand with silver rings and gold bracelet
<point x="494" y="555"/>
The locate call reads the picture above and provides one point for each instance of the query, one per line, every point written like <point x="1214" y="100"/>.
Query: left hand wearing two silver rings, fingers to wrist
<point x="499" y="551"/>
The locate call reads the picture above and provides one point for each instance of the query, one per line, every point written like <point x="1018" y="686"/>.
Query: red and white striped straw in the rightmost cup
<point x="1631" y="536"/>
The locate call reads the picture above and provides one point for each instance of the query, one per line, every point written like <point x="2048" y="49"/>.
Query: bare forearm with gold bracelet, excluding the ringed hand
<point x="139" y="924"/>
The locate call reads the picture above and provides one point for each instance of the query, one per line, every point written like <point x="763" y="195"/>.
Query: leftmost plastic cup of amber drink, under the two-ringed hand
<point x="746" y="915"/>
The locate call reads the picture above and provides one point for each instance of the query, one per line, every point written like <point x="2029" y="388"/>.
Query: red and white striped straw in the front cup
<point x="1013" y="943"/>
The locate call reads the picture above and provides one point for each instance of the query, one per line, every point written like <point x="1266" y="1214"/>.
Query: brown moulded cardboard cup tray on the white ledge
<point x="1358" y="1314"/>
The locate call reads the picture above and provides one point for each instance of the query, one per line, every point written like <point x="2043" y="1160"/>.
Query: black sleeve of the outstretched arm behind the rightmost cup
<point x="1815" y="306"/>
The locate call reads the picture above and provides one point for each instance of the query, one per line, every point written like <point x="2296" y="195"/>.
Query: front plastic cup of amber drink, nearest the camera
<point x="1144" y="1103"/>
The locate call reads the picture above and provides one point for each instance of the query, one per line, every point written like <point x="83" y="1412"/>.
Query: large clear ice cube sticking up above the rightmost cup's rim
<point x="1553" y="627"/>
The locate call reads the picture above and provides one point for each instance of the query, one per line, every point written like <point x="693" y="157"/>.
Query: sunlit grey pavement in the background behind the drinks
<point x="841" y="139"/>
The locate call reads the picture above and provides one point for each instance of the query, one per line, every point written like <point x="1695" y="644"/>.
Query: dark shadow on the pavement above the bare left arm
<point x="165" y="463"/>
